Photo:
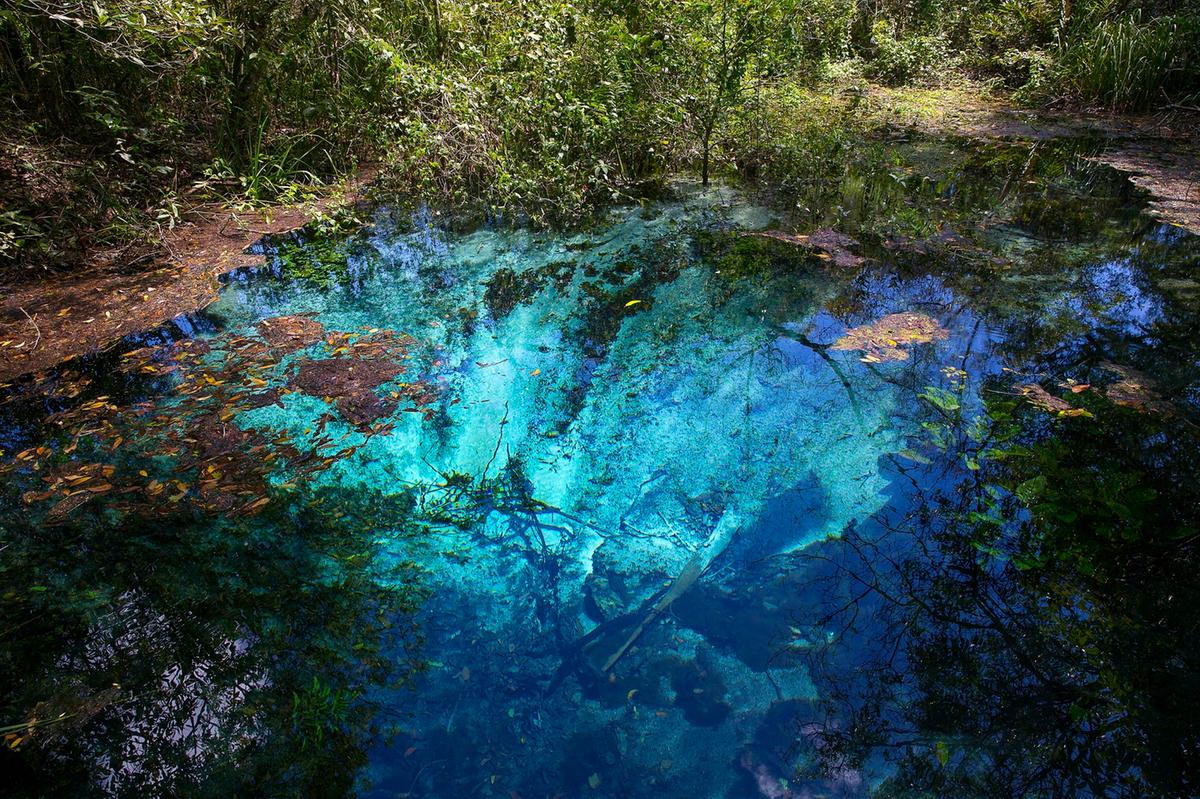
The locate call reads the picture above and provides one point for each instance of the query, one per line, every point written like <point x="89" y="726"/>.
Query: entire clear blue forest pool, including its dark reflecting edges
<point x="638" y="525"/>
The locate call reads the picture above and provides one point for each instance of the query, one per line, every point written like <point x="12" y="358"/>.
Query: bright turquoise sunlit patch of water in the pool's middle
<point x="621" y="411"/>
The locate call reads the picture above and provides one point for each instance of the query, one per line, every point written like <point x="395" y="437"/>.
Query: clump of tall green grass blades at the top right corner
<point x="1126" y="64"/>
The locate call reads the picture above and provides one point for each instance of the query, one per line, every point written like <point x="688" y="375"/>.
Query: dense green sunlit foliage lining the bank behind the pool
<point x="123" y="113"/>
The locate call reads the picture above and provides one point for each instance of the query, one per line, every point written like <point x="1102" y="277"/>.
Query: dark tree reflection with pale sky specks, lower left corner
<point x="203" y="657"/>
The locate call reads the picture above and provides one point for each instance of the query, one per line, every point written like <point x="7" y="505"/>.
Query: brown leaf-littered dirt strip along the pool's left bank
<point x="50" y="322"/>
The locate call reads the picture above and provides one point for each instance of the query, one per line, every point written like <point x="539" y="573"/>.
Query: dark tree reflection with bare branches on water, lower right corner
<point x="1027" y="626"/>
